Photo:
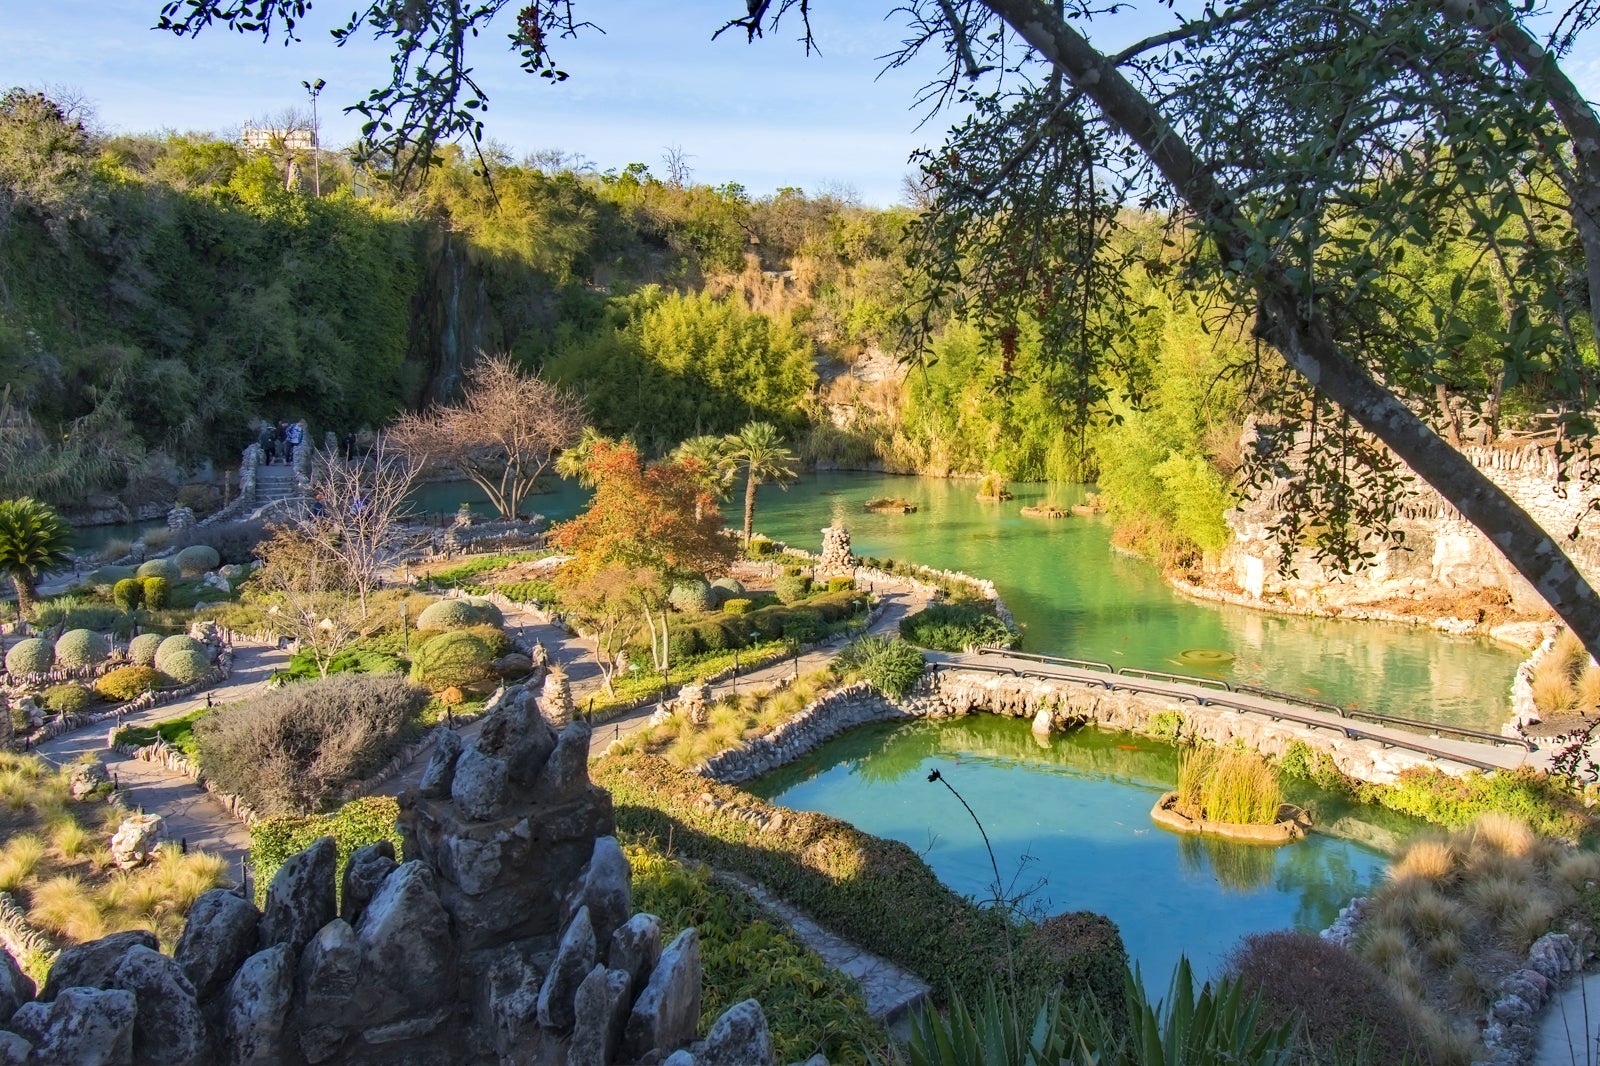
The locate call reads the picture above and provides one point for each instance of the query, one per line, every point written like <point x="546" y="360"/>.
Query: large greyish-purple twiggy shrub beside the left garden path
<point x="294" y="750"/>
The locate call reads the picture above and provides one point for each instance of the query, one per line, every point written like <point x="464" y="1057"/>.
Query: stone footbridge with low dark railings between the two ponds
<point x="1404" y="742"/>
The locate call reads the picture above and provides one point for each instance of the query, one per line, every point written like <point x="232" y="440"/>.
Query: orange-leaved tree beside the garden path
<point x="646" y="518"/>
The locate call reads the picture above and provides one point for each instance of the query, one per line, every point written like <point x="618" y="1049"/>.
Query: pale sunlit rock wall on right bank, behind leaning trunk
<point x="1442" y="550"/>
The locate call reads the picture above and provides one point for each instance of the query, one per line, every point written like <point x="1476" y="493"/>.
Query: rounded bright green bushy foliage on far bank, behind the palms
<point x="670" y="367"/>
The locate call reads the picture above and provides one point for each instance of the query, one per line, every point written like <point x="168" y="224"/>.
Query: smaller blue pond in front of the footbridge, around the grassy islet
<point x="1071" y="827"/>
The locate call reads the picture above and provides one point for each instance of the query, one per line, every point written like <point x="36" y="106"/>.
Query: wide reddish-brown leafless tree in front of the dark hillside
<point x="503" y="436"/>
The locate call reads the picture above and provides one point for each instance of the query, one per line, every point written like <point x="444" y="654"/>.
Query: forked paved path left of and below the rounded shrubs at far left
<point x="191" y="814"/>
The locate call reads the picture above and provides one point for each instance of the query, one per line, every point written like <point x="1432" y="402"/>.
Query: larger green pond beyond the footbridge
<point x="1078" y="598"/>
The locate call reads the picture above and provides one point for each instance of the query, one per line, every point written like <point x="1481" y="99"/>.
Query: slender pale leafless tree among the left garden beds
<point x="358" y="511"/>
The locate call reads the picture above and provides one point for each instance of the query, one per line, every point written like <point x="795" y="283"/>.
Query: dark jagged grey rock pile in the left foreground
<point x="506" y="937"/>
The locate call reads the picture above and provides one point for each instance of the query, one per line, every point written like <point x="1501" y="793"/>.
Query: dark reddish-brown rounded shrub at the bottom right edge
<point x="1343" y="1004"/>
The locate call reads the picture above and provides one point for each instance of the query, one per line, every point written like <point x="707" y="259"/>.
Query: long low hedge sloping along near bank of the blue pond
<point x="878" y="894"/>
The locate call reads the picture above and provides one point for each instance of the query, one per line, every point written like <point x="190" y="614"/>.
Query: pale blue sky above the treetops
<point x="764" y="116"/>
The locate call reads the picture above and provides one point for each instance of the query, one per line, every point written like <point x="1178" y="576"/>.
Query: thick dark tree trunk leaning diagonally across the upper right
<point x="1306" y="340"/>
